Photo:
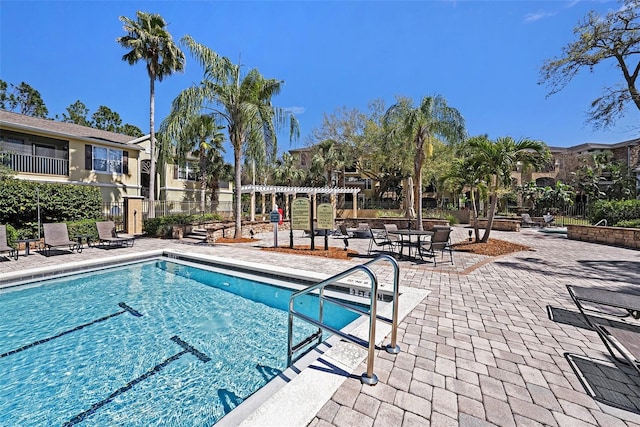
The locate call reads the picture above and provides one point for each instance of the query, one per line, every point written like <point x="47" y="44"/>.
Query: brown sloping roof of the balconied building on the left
<point x="21" y="122"/>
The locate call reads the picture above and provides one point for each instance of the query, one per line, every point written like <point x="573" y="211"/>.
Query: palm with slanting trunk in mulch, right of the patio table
<point x="500" y="158"/>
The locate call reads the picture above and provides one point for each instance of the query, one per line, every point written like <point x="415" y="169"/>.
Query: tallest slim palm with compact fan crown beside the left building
<point x="149" y="40"/>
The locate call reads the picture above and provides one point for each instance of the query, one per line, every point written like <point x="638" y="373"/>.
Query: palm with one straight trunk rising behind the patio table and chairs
<point x="419" y="127"/>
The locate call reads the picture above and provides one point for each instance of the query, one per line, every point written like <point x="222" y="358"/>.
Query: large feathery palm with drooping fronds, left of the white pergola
<point x="242" y="104"/>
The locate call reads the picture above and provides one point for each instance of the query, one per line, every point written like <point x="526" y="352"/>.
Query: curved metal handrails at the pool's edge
<point x="368" y="377"/>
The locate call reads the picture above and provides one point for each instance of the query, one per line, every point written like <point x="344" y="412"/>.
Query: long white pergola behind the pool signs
<point x="293" y="191"/>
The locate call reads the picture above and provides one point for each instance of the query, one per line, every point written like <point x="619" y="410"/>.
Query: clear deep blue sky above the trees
<point x="484" y="57"/>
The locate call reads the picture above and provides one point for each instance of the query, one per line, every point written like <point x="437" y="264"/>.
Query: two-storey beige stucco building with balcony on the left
<point x="44" y="150"/>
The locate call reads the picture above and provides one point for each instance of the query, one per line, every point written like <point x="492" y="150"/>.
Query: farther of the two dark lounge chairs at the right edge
<point x="590" y="299"/>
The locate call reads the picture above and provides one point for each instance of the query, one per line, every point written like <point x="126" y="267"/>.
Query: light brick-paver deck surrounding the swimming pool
<point x="481" y="348"/>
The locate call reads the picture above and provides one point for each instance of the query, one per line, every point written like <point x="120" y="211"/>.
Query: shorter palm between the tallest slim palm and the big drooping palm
<point x="194" y="134"/>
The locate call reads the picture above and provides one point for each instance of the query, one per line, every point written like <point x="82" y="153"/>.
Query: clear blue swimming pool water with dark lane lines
<point x="155" y="343"/>
